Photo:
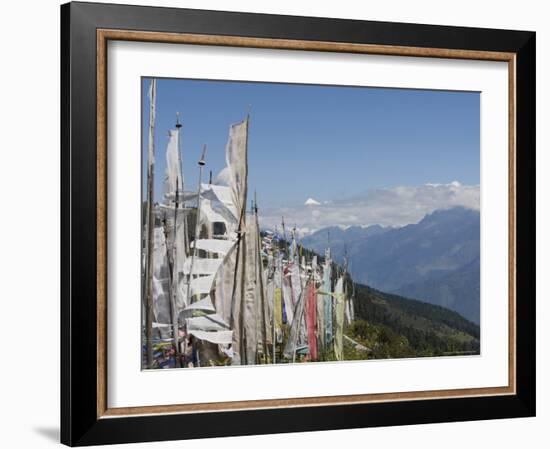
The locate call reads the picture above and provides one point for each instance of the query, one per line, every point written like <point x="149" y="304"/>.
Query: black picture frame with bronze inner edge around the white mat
<point x="86" y="29"/>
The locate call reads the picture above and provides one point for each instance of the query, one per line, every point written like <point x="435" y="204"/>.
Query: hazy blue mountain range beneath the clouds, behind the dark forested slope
<point x="435" y="260"/>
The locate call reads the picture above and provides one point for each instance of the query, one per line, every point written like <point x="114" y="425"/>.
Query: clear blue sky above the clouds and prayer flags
<point x="324" y="142"/>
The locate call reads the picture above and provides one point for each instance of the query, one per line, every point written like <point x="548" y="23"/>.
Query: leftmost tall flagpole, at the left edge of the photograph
<point x="150" y="223"/>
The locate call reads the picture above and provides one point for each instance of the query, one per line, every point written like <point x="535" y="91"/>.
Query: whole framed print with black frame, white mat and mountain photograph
<point x="277" y="224"/>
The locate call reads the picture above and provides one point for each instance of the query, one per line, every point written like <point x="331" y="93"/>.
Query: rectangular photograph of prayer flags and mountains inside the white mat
<point x="297" y="223"/>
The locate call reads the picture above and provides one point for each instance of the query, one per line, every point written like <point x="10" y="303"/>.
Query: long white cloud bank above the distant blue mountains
<point x="397" y="206"/>
